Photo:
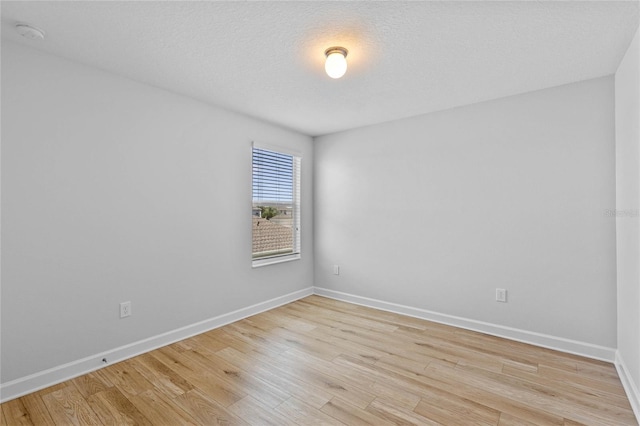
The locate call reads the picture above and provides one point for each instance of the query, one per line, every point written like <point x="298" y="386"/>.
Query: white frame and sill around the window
<point x="296" y="204"/>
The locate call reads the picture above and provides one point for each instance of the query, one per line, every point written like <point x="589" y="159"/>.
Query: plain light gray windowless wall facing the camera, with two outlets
<point x="437" y="211"/>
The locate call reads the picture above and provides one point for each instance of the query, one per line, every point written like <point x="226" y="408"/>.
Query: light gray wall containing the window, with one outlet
<point x="113" y="190"/>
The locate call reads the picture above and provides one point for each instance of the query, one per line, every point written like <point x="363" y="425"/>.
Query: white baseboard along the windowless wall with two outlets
<point x="547" y="341"/>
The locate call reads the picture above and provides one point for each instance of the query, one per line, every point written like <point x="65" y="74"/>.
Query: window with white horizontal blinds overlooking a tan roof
<point x="275" y="212"/>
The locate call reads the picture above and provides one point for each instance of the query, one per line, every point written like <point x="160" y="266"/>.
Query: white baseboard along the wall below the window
<point x="25" y="385"/>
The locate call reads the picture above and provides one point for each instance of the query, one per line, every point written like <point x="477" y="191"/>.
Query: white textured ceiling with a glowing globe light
<point x="265" y="59"/>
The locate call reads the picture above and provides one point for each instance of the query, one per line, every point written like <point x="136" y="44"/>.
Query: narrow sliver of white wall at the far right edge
<point x="627" y="89"/>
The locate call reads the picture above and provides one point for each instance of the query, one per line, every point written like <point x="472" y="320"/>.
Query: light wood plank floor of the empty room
<point x="320" y="361"/>
